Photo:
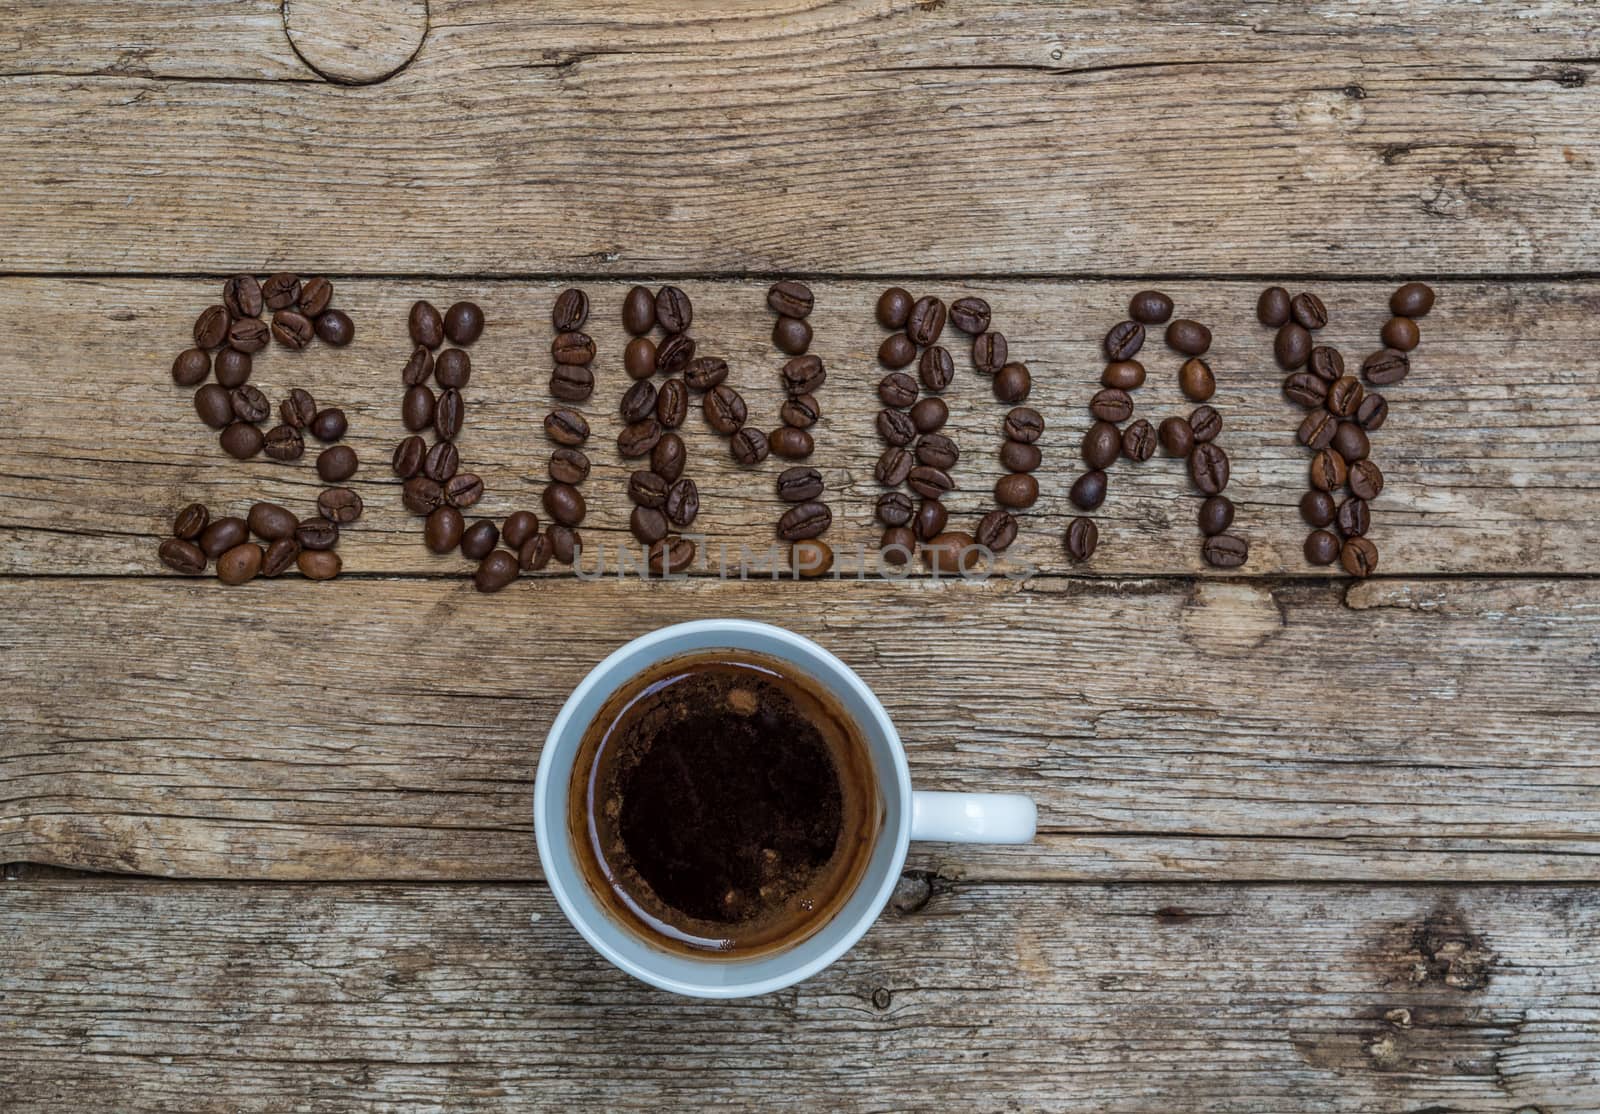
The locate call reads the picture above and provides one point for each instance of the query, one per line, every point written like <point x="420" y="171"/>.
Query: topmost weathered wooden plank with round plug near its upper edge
<point x="860" y="137"/>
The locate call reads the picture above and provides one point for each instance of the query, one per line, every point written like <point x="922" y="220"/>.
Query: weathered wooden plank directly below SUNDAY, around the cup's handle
<point x="390" y="729"/>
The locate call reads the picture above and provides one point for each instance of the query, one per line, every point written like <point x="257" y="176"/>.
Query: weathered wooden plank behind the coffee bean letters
<point x="1492" y="454"/>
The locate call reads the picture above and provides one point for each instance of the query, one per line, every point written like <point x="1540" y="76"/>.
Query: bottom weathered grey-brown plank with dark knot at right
<point x="199" y="998"/>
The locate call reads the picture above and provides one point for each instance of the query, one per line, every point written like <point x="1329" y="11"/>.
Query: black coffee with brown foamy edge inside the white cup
<point x="724" y="804"/>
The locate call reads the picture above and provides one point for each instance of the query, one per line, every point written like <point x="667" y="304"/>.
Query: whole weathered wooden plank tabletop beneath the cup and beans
<point x="1308" y="844"/>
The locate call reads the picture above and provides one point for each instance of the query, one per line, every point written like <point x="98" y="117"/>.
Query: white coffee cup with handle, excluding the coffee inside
<point x="908" y="815"/>
